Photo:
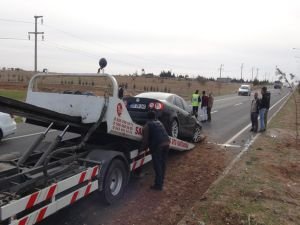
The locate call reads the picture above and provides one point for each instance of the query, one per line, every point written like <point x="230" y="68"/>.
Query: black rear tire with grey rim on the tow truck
<point x="115" y="182"/>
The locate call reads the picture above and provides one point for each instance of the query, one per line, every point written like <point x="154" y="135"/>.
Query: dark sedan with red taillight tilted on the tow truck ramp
<point x="171" y="110"/>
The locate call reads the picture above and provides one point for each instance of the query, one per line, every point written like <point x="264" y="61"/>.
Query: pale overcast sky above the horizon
<point x="187" y="37"/>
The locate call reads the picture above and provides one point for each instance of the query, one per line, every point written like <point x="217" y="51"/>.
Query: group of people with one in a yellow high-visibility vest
<point x="206" y="104"/>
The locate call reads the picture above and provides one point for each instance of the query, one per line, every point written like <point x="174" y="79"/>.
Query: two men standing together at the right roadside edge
<point x="260" y="106"/>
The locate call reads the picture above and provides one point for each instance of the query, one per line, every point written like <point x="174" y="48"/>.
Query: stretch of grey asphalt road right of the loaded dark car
<point x="231" y="114"/>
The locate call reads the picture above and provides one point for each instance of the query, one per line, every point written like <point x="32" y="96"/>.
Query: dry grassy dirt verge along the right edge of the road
<point x="263" y="187"/>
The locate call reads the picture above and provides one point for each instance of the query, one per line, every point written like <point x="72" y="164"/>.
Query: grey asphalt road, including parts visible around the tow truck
<point x="230" y="118"/>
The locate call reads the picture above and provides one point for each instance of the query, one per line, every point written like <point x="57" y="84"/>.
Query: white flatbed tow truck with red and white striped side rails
<point x="43" y="180"/>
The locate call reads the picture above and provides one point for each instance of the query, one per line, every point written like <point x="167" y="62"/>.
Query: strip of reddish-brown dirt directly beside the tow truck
<point x="188" y="176"/>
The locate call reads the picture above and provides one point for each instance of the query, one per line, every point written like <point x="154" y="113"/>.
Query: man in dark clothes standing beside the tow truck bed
<point x="157" y="139"/>
